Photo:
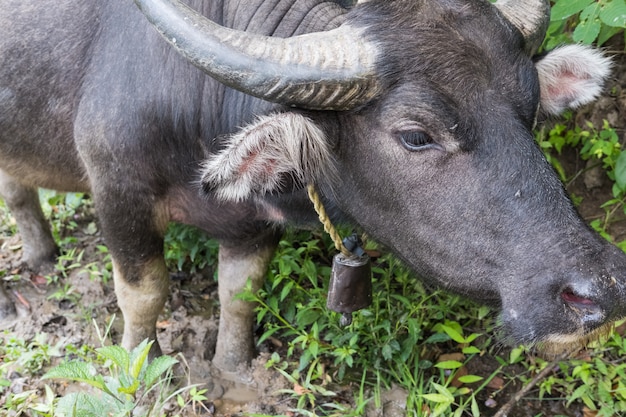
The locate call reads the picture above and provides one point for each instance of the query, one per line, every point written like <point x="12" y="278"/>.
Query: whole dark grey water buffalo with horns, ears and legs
<point x="413" y="118"/>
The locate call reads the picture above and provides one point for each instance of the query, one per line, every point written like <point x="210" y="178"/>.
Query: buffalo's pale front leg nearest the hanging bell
<point x="237" y="264"/>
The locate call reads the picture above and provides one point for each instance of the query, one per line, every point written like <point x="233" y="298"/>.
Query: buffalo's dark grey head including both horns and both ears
<point x="414" y="118"/>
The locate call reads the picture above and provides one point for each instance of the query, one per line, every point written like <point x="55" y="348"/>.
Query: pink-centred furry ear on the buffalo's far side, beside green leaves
<point x="571" y="76"/>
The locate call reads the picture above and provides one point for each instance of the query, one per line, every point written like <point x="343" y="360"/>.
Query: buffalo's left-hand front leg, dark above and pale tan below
<point x="133" y="228"/>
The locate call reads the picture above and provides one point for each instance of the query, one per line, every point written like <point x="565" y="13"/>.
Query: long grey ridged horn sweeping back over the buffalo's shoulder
<point x="331" y="70"/>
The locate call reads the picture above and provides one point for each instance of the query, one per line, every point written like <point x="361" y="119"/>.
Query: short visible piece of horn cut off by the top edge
<point x="531" y="17"/>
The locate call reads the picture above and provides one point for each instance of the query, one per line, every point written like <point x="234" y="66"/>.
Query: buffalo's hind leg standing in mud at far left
<point x="38" y="247"/>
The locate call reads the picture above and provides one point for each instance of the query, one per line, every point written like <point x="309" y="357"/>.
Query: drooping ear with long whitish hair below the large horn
<point x="261" y="156"/>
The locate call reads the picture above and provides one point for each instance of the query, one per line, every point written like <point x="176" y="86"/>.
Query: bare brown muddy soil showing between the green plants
<point x="189" y="324"/>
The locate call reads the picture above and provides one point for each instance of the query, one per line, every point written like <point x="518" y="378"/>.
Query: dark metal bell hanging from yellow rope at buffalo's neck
<point x="350" y="287"/>
